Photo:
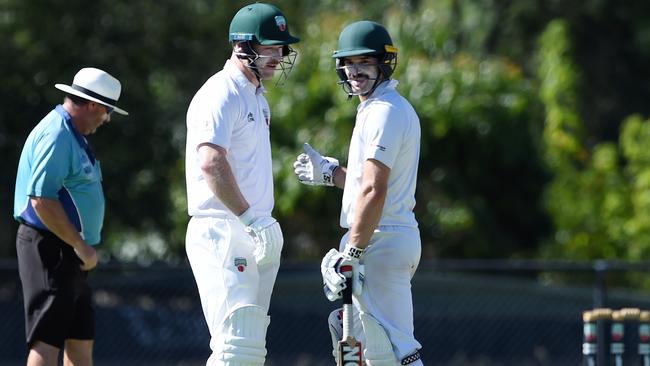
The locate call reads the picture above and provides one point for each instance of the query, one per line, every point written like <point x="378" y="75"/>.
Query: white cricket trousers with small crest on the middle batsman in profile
<point x="221" y="256"/>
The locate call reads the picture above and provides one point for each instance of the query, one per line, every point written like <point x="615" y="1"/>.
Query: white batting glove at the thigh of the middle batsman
<point x="267" y="236"/>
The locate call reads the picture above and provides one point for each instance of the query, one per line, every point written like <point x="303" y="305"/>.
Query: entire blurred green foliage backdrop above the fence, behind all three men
<point x="521" y="155"/>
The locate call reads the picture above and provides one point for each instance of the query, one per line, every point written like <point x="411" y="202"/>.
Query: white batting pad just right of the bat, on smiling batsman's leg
<point x="379" y="350"/>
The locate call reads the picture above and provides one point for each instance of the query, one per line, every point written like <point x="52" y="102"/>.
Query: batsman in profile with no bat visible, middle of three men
<point x="233" y="243"/>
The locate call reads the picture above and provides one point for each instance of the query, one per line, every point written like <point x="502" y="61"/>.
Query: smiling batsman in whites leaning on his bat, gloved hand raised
<point x="382" y="242"/>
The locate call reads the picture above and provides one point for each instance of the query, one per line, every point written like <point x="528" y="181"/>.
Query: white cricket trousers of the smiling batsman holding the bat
<point x="390" y="262"/>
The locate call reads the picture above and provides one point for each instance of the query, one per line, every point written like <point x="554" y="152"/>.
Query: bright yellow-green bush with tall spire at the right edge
<point x="598" y="198"/>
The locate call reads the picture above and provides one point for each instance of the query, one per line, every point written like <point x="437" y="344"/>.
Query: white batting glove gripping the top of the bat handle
<point x="334" y="280"/>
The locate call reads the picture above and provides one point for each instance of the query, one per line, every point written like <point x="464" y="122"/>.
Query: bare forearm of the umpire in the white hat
<point x="53" y="215"/>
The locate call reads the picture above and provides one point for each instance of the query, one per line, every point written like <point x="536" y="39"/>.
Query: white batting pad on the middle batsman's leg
<point x="244" y="335"/>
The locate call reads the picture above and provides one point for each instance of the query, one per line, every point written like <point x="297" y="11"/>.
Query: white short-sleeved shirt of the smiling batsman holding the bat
<point x="386" y="129"/>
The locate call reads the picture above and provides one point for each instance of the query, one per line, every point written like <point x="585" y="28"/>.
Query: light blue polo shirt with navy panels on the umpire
<point x="57" y="163"/>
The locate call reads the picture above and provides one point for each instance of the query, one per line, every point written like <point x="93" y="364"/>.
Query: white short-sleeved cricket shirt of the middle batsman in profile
<point x="230" y="112"/>
